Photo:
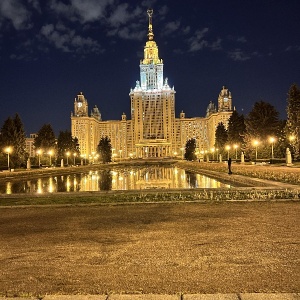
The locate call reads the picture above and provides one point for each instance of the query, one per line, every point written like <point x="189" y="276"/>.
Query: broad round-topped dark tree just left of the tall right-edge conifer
<point x="261" y="123"/>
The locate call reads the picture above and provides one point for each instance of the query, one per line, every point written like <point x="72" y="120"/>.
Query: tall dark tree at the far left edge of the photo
<point x="13" y="135"/>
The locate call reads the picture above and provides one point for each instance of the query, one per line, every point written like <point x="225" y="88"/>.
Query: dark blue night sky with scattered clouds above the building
<point x="51" y="50"/>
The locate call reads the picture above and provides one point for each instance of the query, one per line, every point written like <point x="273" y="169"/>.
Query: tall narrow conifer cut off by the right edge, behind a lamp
<point x="293" y="119"/>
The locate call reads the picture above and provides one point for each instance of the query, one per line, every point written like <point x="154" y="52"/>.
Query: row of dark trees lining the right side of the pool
<point x="261" y="128"/>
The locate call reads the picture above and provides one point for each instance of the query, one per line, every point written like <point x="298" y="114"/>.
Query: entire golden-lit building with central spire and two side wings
<point x="153" y="130"/>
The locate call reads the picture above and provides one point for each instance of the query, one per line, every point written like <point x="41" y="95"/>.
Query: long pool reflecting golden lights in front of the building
<point x="136" y="178"/>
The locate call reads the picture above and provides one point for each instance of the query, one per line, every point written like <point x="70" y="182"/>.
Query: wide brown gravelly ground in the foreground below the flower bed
<point x="170" y="248"/>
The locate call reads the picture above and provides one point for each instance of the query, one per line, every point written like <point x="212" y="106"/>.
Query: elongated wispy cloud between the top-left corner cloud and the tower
<point x="67" y="40"/>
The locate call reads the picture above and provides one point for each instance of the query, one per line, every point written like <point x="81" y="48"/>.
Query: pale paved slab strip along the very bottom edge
<point x="243" y="296"/>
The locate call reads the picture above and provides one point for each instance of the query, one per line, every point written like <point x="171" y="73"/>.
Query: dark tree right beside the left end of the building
<point x="66" y="143"/>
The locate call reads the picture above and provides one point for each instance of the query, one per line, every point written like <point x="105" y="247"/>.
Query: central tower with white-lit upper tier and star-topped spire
<point x="152" y="104"/>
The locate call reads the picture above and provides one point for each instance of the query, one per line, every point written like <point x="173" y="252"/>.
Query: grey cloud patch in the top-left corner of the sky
<point x="16" y="13"/>
